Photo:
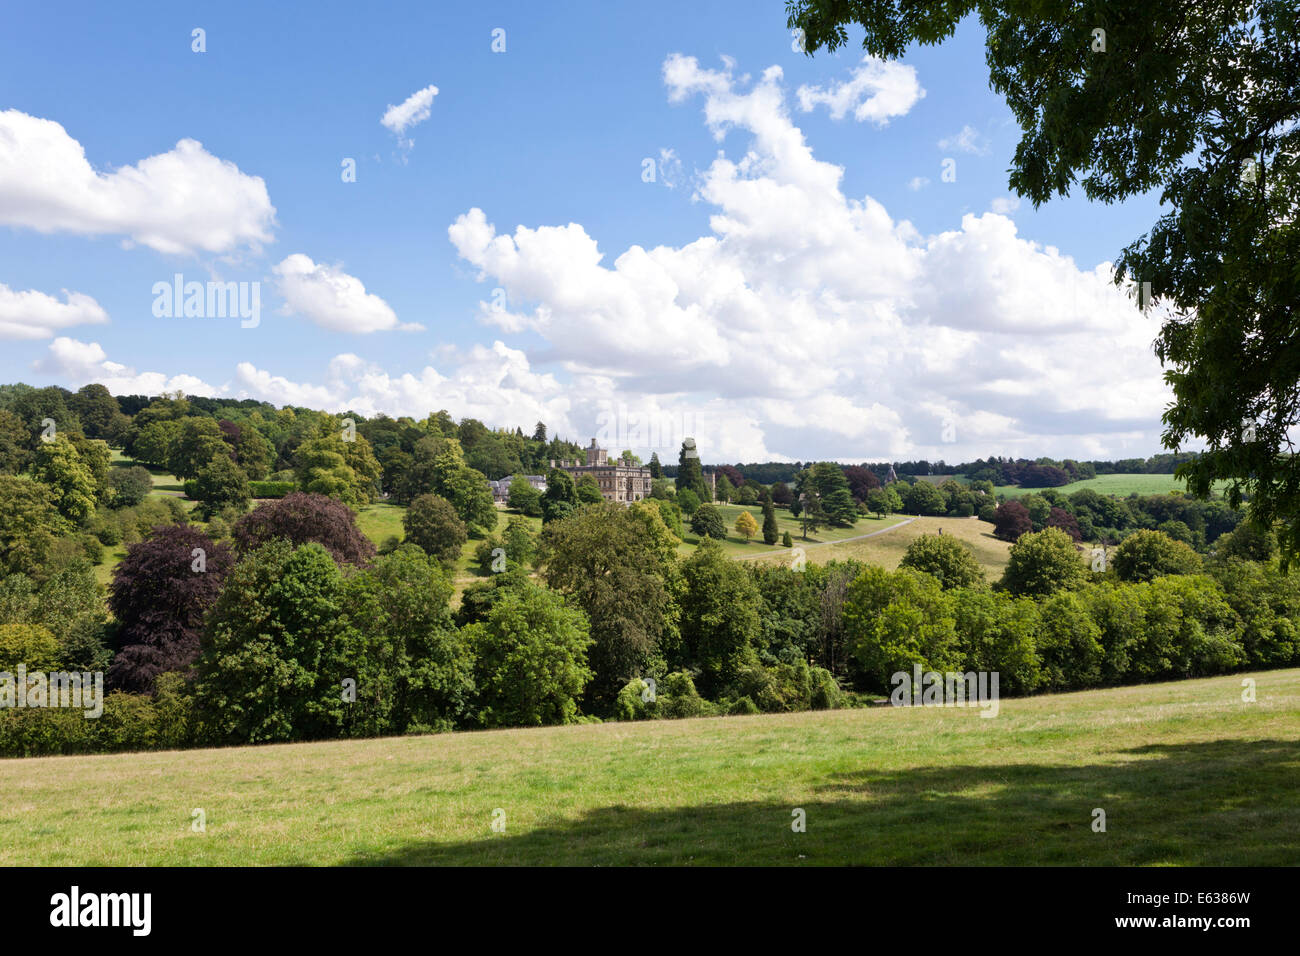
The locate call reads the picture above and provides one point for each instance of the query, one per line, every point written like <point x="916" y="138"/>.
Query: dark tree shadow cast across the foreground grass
<point x="1217" y="803"/>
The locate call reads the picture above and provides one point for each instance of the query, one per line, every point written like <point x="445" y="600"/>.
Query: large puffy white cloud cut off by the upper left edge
<point x="181" y="202"/>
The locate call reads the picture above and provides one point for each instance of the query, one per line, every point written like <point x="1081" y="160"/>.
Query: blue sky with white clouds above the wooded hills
<point x="630" y="222"/>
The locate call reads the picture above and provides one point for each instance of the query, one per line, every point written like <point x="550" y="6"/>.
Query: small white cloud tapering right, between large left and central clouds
<point x="331" y="299"/>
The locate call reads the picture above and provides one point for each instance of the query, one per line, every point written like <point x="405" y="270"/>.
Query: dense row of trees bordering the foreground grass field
<point x="297" y="629"/>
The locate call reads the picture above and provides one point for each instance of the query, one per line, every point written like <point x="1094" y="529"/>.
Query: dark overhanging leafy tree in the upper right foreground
<point x="1201" y="105"/>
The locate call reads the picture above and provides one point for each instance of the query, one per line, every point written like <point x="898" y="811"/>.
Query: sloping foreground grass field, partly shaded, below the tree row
<point x="1186" y="773"/>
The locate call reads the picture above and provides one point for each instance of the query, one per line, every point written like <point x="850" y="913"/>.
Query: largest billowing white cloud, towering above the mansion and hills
<point x="822" y="325"/>
